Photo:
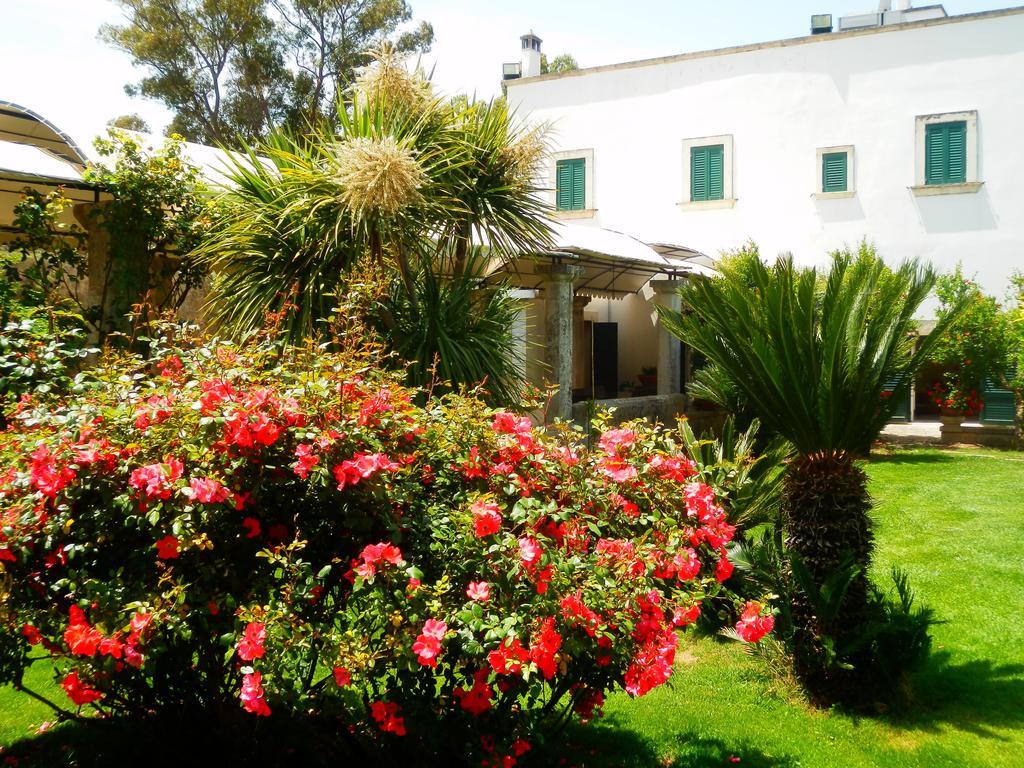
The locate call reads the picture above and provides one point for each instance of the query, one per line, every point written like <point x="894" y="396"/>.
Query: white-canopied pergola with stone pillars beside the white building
<point x="589" y="262"/>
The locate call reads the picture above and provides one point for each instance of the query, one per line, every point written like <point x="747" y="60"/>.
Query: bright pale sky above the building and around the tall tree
<point x="52" y="62"/>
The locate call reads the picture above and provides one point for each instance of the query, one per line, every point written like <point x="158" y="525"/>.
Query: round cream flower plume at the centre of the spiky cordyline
<point x="377" y="177"/>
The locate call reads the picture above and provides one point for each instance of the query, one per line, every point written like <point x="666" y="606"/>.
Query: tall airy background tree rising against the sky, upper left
<point x="232" y="69"/>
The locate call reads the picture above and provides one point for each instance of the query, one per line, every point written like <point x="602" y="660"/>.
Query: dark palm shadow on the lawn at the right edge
<point x="974" y="697"/>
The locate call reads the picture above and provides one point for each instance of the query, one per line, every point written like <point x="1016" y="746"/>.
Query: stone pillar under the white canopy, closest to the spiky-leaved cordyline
<point x="559" y="334"/>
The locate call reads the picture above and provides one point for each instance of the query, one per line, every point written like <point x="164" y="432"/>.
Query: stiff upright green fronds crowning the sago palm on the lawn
<point x="813" y="354"/>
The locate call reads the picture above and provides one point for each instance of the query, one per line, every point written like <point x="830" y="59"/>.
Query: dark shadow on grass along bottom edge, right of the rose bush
<point x="611" y="745"/>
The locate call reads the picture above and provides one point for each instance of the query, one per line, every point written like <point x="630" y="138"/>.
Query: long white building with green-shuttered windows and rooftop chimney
<point x="904" y="126"/>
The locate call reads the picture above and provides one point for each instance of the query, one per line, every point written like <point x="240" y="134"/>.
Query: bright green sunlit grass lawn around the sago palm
<point x="955" y="521"/>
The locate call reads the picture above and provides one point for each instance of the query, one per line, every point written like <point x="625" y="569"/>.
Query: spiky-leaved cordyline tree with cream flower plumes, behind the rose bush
<point x="404" y="194"/>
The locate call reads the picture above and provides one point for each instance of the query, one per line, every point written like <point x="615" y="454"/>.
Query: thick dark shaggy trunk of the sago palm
<point x="827" y="524"/>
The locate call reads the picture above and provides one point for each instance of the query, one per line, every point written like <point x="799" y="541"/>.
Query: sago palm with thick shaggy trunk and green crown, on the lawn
<point x="812" y="355"/>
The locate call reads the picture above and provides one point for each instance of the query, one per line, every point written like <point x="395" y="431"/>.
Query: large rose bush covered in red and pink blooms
<point x="232" y="535"/>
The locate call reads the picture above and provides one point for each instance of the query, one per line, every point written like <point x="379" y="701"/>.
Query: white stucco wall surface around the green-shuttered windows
<point x="784" y="102"/>
